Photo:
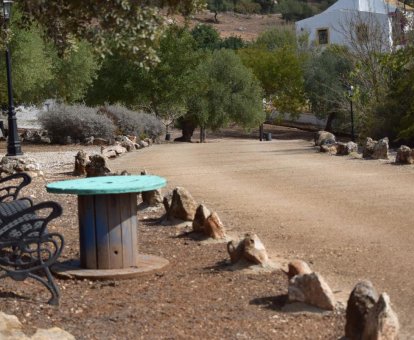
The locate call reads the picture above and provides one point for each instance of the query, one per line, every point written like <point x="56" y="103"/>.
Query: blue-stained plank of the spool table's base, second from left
<point x="102" y="231"/>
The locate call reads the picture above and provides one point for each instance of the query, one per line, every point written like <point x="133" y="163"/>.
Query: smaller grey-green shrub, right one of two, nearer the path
<point x="133" y="123"/>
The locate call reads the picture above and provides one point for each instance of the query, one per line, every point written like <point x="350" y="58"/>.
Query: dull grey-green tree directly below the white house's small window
<point x="326" y="76"/>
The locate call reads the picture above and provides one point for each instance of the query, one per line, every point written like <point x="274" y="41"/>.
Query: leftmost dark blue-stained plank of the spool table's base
<point x="87" y="237"/>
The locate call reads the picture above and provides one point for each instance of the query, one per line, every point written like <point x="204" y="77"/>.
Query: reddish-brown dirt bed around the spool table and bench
<point x="196" y="297"/>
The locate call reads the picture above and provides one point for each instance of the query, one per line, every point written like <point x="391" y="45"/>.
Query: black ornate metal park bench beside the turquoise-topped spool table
<point x="26" y="247"/>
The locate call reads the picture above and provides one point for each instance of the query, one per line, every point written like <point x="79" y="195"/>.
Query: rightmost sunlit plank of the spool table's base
<point x="127" y="241"/>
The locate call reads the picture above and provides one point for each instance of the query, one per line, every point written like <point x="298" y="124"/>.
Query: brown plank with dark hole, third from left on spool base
<point x="115" y="232"/>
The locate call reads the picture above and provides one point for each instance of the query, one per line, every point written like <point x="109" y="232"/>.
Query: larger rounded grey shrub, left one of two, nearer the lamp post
<point x="76" y="121"/>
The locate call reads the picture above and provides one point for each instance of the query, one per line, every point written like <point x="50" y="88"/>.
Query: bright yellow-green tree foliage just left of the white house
<point x="275" y="61"/>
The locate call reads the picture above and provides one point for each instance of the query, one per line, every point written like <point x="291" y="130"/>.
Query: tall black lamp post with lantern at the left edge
<point x="13" y="142"/>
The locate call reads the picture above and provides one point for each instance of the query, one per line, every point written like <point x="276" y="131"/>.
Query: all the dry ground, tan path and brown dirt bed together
<point x="349" y="218"/>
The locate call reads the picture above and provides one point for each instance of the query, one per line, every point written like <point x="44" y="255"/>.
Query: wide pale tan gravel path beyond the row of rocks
<point x="350" y="218"/>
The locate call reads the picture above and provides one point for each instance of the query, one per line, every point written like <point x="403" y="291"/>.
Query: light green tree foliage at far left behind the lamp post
<point x="39" y="73"/>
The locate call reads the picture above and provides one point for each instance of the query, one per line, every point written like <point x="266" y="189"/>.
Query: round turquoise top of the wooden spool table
<point x="107" y="185"/>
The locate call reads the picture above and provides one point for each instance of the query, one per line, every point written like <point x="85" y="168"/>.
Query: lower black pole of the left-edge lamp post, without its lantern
<point x="13" y="142"/>
